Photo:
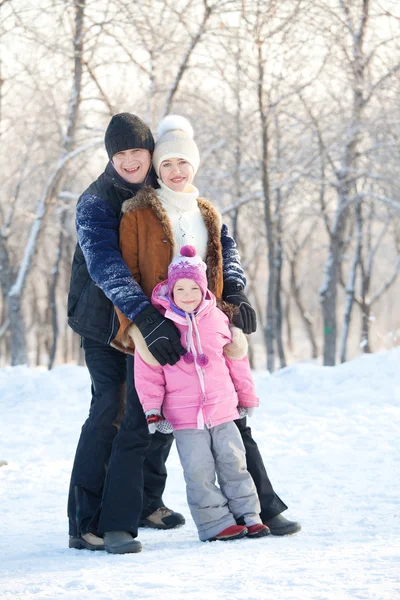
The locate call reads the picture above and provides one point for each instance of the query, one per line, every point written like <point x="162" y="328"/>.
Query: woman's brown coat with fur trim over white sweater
<point x="147" y="246"/>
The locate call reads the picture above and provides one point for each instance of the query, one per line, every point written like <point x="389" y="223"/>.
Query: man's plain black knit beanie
<point x="126" y="131"/>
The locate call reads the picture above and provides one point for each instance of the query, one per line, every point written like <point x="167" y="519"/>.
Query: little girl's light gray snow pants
<point x="217" y="451"/>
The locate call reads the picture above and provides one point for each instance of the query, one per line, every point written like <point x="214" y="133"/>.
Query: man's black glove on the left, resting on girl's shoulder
<point x="161" y="336"/>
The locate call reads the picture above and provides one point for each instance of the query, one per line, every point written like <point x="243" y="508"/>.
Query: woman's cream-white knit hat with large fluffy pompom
<point x="175" y="140"/>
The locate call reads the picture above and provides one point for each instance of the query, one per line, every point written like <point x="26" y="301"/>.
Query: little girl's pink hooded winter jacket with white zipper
<point x="188" y="395"/>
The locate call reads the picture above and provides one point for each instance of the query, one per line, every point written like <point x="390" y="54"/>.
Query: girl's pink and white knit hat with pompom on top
<point x="187" y="266"/>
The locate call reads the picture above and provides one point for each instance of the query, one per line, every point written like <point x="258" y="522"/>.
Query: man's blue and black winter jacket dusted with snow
<point x="100" y="277"/>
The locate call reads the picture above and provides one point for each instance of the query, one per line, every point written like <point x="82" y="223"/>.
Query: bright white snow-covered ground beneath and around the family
<point x="330" y="438"/>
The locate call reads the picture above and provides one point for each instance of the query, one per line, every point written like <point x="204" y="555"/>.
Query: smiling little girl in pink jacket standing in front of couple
<point x="199" y="396"/>
